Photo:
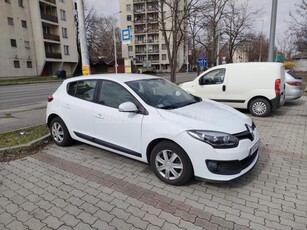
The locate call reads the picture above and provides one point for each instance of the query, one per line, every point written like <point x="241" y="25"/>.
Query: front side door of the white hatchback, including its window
<point x="120" y="131"/>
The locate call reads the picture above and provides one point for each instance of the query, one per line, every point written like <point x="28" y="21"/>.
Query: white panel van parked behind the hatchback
<point x="256" y="86"/>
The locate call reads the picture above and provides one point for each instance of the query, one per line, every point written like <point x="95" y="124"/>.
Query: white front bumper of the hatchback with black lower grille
<point x="220" y="164"/>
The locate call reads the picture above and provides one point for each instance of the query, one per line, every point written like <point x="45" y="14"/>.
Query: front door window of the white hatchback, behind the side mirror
<point x="112" y="94"/>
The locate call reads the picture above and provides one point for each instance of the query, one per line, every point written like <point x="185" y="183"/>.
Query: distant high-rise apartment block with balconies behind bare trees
<point x="147" y="46"/>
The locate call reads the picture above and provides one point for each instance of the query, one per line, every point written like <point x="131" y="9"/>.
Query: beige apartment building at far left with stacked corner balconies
<point x="38" y="37"/>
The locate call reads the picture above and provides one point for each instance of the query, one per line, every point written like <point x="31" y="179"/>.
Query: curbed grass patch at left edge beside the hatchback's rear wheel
<point x="22" y="136"/>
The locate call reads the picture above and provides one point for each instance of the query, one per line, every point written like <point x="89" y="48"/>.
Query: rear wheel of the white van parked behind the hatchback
<point x="260" y="107"/>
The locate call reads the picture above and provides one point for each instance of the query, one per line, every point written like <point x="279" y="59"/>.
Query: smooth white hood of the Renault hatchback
<point x="208" y="115"/>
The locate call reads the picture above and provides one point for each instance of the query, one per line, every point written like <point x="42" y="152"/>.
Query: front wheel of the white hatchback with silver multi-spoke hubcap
<point x="171" y="164"/>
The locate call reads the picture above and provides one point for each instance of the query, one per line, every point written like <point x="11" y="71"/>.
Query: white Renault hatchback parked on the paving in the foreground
<point x="152" y="120"/>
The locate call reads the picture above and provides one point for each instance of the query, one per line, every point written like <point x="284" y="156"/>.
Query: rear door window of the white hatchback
<point x="82" y="89"/>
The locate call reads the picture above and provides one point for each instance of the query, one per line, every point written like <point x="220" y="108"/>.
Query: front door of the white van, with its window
<point x="212" y="85"/>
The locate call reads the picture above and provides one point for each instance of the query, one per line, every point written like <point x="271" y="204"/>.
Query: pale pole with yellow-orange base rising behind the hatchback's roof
<point x="83" y="43"/>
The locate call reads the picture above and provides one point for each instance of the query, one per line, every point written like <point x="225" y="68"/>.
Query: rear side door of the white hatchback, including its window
<point x="78" y="105"/>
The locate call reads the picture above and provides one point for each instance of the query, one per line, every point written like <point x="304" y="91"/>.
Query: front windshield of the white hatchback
<point x="161" y="93"/>
